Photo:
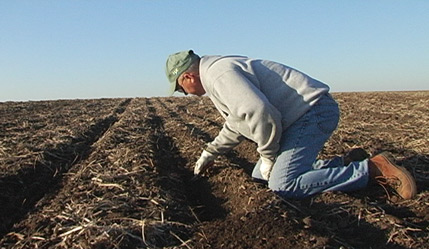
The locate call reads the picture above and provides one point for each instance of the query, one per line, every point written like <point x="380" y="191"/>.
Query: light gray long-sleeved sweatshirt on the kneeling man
<point x="259" y="99"/>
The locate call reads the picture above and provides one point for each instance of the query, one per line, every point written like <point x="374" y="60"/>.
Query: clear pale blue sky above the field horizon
<point x="75" y="49"/>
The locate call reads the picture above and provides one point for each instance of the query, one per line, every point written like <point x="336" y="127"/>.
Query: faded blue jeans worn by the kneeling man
<point x="296" y="172"/>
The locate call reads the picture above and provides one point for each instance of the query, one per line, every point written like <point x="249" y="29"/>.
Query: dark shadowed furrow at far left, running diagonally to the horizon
<point x="20" y="193"/>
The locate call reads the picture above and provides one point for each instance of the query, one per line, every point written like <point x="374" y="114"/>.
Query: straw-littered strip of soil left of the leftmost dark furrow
<point x="29" y="129"/>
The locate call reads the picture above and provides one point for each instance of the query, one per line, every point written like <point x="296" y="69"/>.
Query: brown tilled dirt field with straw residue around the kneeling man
<point x="118" y="173"/>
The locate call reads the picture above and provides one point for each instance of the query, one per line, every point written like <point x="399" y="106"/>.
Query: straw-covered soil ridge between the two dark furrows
<point x="117" y="197"/>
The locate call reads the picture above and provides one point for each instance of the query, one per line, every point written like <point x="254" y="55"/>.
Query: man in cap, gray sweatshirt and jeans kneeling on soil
<point x="289" y="115"/>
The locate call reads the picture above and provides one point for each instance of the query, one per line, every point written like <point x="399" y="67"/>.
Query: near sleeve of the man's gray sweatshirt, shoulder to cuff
<point x="250" y="113"/>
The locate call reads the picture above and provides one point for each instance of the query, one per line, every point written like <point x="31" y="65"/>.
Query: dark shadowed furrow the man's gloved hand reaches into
<point x="190" y="200"/>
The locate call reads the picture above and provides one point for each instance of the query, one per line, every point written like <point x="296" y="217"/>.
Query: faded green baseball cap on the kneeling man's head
<point x="177" y="64"/>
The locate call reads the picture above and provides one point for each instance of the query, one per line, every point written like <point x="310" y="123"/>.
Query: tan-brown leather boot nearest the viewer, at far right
<point x="385" y="172"/>
